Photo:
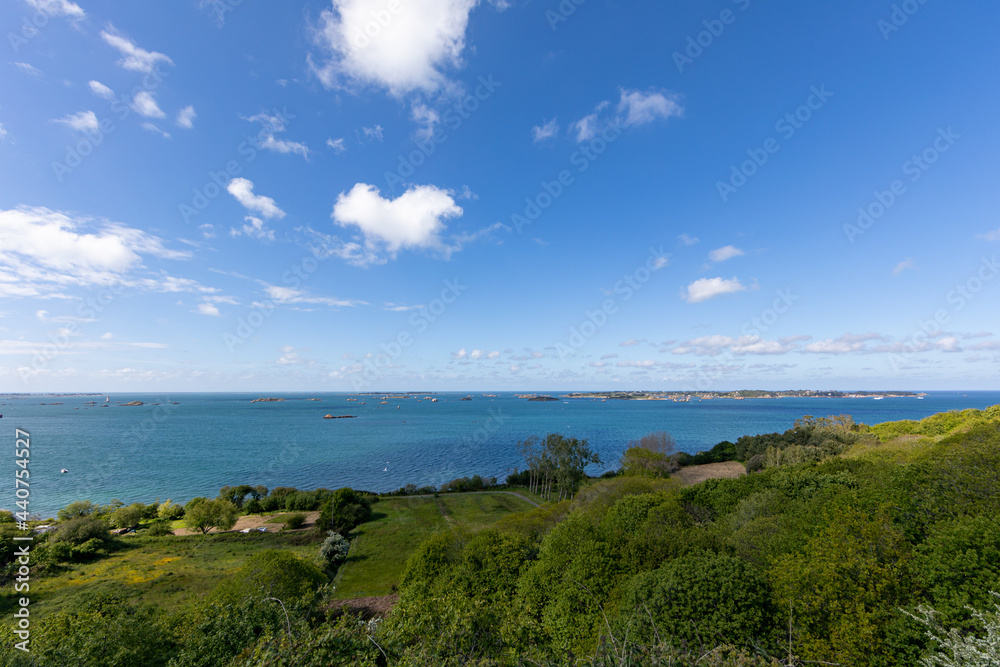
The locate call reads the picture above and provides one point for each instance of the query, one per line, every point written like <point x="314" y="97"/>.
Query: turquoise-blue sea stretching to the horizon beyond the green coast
<point x="206" y="441"/>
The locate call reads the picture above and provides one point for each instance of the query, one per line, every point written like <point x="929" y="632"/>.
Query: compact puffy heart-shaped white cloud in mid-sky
<point x="413" y="220"/>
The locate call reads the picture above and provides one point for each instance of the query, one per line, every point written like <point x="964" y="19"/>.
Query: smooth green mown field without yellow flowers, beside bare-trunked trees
<point x="381" y="547"/>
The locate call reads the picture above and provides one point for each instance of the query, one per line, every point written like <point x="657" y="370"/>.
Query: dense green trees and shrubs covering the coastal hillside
<point x="844" y="544"/>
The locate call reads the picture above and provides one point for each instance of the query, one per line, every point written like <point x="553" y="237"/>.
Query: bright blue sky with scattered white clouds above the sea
<point x="534" y="195"/>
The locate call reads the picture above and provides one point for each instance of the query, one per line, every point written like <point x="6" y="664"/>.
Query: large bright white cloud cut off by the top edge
<point x="407" y="54"/>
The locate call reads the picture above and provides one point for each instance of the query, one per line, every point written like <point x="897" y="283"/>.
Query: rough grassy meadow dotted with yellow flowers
<point x="170" y="572"/>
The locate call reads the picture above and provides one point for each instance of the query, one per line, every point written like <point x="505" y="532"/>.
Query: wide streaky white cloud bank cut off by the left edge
<point x="42" y="250"/>
